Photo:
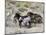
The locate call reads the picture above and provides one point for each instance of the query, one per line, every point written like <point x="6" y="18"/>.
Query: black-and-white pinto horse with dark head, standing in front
<point x="23" y="20"/>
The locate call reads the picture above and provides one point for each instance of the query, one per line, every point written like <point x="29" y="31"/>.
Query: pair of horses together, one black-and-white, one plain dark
<point x="28" y="19"/>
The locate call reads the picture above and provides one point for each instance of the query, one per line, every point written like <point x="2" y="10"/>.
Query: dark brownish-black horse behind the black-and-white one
<point x="35" y="18"/>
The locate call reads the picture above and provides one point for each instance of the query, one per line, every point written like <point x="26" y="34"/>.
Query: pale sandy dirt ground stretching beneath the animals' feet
<point x="35" y="28"/>
